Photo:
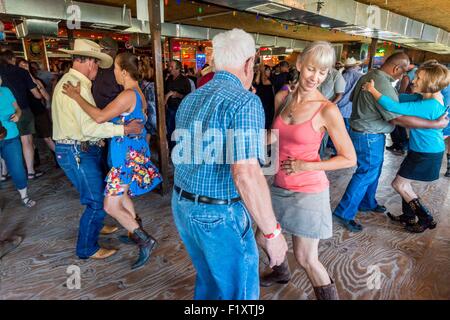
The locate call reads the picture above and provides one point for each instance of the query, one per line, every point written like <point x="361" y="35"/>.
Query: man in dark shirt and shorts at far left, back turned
<point x="20" y="83"/>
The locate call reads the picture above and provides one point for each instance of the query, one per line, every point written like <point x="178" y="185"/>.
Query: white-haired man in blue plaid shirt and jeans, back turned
<point x="219" y="184"/>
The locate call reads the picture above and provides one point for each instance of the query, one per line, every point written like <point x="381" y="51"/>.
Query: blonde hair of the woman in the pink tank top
<point x="319" y="53"/>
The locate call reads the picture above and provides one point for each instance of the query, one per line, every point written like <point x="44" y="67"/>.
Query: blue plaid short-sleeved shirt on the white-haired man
<point x="205" y="121"/>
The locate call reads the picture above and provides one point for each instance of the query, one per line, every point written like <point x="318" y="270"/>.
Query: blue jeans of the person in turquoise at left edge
<point x="11" y="152"/>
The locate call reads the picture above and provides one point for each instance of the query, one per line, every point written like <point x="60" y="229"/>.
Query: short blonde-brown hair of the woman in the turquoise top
<point x="435" y="77"/>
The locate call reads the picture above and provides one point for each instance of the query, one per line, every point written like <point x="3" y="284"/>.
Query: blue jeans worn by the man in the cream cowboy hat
<point x="87" y="178"/>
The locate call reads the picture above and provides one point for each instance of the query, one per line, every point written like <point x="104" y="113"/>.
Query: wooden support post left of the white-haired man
<point x="155" y="33"/>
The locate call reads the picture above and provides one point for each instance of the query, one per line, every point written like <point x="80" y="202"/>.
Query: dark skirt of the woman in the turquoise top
<point x="421" y="166"/>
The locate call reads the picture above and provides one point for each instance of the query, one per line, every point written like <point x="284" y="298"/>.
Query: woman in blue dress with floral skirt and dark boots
<point x="132" y="173"/>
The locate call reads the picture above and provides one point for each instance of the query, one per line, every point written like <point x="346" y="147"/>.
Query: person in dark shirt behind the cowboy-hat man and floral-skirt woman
<point x="105" y="87"/>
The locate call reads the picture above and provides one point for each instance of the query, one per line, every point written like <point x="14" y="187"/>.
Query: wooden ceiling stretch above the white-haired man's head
<point x="188" y="13"/>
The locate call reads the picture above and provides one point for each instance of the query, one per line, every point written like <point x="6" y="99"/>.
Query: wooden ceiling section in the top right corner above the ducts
<point x="433" y="12"/>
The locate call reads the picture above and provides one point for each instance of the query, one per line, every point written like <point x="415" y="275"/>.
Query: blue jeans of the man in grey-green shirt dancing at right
<point x="361" y="191"/>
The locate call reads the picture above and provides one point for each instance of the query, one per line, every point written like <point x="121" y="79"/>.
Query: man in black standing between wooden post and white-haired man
<point x="176" y="88"/>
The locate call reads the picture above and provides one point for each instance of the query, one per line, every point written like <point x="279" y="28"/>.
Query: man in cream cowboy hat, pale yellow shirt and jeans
<point x="79" y="144"/>
